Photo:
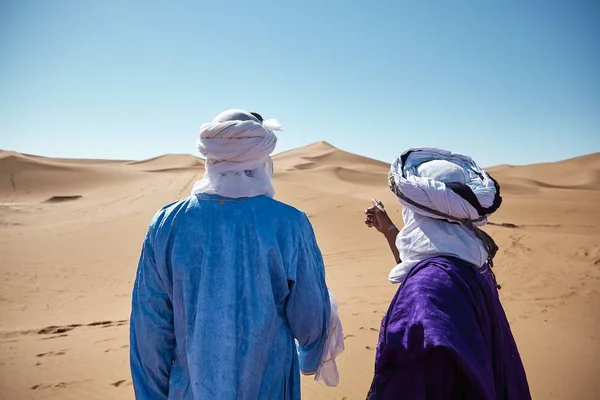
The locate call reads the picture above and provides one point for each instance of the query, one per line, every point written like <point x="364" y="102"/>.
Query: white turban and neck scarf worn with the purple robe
<point x="422" y="177"/>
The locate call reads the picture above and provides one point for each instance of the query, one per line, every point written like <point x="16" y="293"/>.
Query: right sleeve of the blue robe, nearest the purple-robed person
<point x="308" y="307"/>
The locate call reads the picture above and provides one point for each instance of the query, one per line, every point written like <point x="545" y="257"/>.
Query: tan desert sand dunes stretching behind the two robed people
<point x="71" y="232"/>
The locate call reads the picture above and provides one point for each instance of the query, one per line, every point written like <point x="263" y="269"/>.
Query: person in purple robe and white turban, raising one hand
<point x="445" y="334"/>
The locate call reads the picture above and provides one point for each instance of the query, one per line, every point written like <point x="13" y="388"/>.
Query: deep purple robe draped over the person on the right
<point x="446" y="336"/>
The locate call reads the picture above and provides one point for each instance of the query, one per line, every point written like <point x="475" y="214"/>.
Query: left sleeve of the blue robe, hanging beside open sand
<point x="151" y="332"/>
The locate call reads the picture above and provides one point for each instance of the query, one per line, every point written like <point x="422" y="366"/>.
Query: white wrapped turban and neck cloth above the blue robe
<point x="237" y="146"/>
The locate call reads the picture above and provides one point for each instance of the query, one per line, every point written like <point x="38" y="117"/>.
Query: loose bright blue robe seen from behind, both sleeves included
<point x="223" y="288"/>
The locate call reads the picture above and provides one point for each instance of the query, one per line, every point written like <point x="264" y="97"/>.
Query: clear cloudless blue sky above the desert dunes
<point x="505" y="82"/>
